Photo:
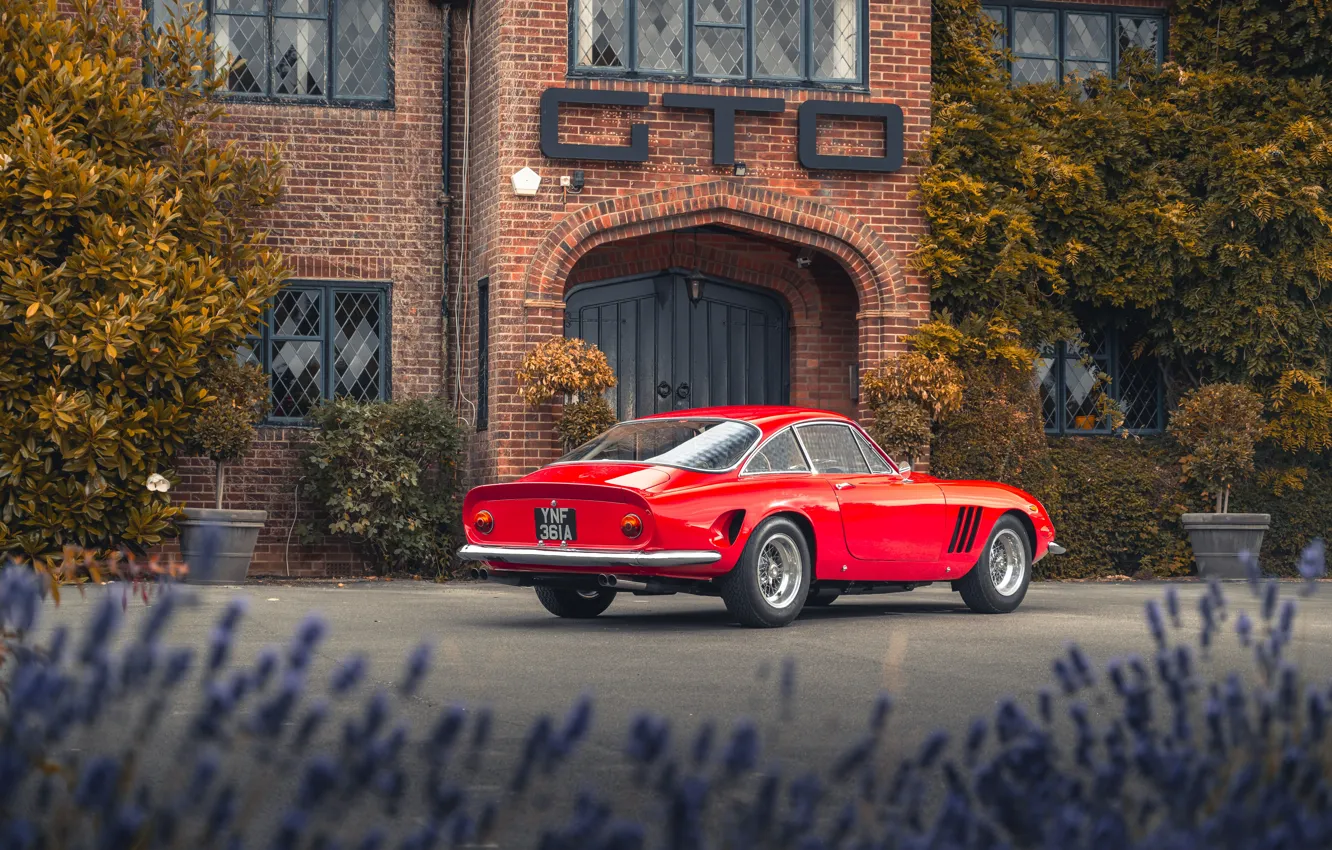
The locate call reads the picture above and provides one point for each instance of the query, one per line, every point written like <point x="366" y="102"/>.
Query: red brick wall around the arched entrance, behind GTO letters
<point x="528" y="247"/>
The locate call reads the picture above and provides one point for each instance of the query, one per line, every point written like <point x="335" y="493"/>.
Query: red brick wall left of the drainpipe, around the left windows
<point x="363" y="202"/>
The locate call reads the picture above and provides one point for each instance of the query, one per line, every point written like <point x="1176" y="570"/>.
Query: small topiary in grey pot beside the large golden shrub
<point x="219" y="544"/>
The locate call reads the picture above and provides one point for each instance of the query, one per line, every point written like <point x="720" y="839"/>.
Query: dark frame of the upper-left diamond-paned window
<point x="330" y="98"/>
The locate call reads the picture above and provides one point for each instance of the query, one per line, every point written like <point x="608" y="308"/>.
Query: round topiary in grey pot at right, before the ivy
<point x="1218" y="427"/>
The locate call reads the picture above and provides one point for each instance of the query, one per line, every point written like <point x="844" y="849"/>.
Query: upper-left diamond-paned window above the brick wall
<point x="319" y="51"/>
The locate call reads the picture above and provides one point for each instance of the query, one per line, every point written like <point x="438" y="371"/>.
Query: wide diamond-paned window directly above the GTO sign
<point x="812" y="42"/>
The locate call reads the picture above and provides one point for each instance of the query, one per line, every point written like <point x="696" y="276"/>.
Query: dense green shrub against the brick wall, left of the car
<point x="388" y="475"/>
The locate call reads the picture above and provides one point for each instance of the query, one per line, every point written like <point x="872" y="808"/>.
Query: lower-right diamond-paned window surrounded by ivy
<point x="1074" y="376"/>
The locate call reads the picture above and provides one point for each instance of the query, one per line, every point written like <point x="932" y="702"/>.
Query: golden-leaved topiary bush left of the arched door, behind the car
<point x="579" y="374"/>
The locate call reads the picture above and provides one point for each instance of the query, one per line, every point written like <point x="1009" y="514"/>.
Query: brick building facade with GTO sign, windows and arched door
<point x="412" y="278"/>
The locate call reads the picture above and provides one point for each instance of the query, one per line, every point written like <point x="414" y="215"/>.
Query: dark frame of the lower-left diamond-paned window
<point x="263" y="344"/>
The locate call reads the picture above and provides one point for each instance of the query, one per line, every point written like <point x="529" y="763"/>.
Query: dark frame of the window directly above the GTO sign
<point x="749" y="81"/>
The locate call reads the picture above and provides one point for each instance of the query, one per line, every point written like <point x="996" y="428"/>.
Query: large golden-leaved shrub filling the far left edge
<point x="127" y="260"/>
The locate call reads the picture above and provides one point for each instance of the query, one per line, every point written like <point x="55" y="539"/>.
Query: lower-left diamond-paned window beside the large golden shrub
<point x="323" y="342"/>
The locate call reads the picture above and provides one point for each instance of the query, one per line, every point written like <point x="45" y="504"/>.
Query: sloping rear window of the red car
<point x="709" y="446"/>
